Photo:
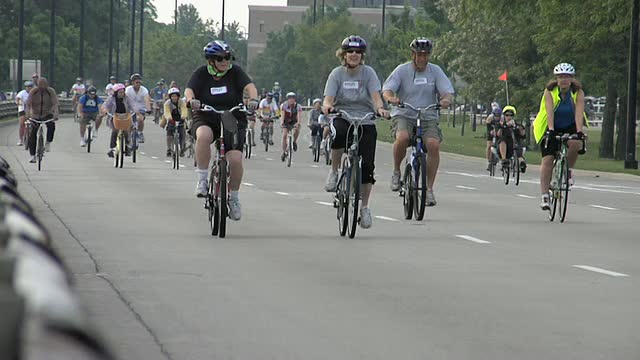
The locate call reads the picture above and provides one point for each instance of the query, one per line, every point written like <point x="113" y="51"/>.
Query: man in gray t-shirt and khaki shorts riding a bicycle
<point x="420" y="84"/>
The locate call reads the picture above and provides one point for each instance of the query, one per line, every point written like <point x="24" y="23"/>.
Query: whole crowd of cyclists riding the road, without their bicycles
<point x="352" y="87"/>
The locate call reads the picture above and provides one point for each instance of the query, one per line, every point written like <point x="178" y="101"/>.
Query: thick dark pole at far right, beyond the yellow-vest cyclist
<point x="630" y="161"/>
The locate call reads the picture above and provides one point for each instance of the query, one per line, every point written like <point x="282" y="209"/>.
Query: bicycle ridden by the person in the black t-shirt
<point x="217" y="198"/>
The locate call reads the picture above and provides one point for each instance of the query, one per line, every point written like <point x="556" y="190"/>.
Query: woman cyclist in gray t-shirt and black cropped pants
<point x="354" y="88"/>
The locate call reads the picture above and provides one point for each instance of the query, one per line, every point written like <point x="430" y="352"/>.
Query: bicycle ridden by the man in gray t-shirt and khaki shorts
<point x="414" y="185"/>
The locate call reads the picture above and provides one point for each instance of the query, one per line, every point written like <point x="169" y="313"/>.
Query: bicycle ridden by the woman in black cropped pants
<point x="347" y="197"/>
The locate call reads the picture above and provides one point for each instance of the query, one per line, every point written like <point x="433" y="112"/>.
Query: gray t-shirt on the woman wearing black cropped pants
<point x="352" y="91"/>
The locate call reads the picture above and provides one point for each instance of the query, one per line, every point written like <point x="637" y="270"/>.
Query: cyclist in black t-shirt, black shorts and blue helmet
<point x="220" y="84"/>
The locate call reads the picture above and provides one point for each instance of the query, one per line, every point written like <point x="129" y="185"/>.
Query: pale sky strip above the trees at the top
<point x="235" y="10"/>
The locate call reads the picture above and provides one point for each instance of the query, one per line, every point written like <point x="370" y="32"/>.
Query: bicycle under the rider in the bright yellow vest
<point x="559" y="187"/>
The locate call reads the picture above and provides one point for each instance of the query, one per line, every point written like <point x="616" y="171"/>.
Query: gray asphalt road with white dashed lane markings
<point x="486" y="276"/>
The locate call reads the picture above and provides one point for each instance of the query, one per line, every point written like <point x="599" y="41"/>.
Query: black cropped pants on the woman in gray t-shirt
<point x="367" y="148"/>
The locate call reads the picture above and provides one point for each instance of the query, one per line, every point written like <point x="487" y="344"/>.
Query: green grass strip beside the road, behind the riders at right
<point x="474" y="144"/>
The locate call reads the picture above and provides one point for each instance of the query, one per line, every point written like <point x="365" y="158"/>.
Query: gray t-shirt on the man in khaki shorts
<point x="419" y="89"/>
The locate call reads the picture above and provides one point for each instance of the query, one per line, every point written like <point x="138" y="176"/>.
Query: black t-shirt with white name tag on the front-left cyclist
<point x="222" y="94"/>
